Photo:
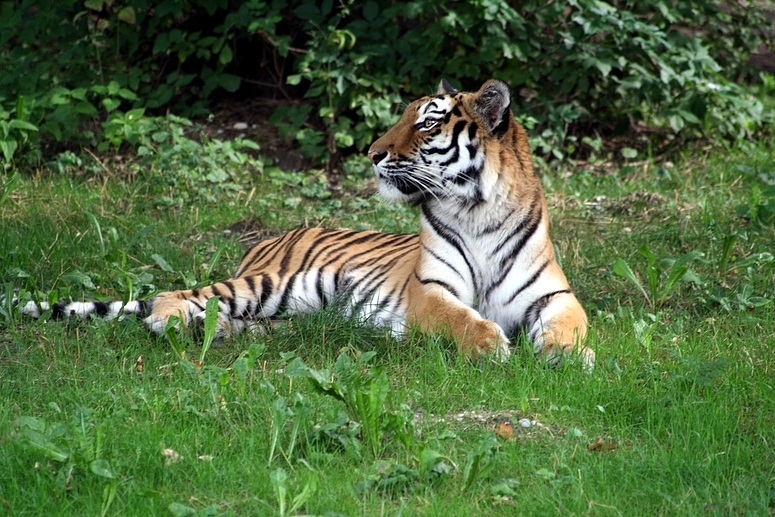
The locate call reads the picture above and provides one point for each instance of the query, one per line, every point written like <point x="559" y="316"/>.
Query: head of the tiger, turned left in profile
<point x="450" y="146"/>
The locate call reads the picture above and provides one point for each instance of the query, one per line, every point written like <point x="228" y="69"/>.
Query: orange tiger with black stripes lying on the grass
<point x="481" y="271"/>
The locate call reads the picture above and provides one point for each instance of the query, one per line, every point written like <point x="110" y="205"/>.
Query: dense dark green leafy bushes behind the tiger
<point x="581" y="67"/>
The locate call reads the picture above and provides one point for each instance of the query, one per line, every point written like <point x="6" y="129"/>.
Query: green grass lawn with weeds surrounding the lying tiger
<point x="677" y="419"/>
